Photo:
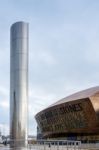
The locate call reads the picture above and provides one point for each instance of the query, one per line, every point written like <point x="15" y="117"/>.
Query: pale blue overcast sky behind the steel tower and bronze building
<point x="63" y="51"/>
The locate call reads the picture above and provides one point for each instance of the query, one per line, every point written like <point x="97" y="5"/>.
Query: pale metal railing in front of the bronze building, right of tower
<point x="55" y="145"/>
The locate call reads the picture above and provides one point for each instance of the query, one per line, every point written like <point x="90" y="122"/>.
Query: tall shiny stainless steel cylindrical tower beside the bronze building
<point x="19" y="81"/>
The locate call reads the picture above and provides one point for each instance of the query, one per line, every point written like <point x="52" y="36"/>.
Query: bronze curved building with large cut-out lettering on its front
<point x="75" y="117"/>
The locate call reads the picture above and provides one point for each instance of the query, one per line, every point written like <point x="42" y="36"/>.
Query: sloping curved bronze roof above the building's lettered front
<point x="79" y="95"/>
